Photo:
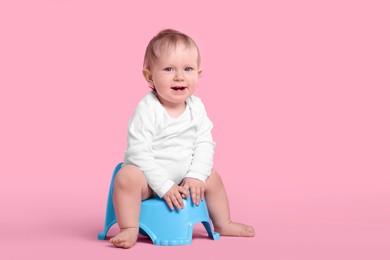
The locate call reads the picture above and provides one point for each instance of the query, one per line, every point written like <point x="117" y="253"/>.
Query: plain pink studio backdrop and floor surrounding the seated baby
<point x="298" y="92"/>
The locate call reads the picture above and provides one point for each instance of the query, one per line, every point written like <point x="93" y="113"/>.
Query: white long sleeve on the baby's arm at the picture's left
<point x="141" y="132"/>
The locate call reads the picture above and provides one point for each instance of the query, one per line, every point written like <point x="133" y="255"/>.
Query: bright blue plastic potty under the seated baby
<point x="164" y="226"/>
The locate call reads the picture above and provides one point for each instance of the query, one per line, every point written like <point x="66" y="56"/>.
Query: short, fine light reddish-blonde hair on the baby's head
<point x="164" y="41"/>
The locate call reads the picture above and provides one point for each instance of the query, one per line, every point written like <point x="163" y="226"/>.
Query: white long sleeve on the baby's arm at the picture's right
<point x="204" y="145"/>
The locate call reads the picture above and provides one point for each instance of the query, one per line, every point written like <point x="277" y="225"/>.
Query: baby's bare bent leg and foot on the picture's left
<point x="130" y="188"/>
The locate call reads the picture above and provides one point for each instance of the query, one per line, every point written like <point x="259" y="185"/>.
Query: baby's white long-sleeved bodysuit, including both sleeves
<point x="169" y="149"/>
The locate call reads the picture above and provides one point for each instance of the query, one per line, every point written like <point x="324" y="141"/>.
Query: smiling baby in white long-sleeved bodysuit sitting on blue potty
<point x="170" y="146"/>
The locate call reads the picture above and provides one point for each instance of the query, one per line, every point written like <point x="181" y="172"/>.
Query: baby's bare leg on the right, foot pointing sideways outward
<point x="218" y="207"/>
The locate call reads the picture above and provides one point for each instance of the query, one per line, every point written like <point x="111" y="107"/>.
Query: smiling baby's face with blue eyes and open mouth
<point x="174" y="75"/>
